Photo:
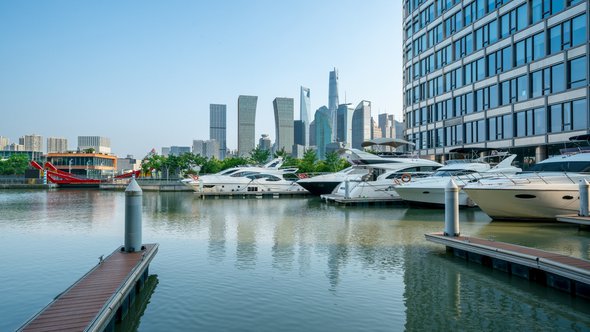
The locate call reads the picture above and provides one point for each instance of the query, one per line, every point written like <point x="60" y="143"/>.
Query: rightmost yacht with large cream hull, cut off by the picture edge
<point x="549" y="189"/>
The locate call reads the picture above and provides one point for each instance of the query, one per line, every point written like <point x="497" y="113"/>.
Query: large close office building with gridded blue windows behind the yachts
<point x="495" y="74"/>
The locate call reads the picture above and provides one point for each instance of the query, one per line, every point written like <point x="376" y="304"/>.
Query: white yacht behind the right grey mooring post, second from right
<point x="431" y="190"/>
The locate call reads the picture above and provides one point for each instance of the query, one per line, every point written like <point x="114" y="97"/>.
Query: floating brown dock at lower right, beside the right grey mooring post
<point x="562" y="272"/>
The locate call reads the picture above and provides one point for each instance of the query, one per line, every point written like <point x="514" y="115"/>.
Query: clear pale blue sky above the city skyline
<point x="143" y="73"/>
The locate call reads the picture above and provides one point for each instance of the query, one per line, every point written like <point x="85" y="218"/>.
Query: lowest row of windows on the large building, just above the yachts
<point x="562" y="117"/>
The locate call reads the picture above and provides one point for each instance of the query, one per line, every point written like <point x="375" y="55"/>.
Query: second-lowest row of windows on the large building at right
<point x="542" y="82"/>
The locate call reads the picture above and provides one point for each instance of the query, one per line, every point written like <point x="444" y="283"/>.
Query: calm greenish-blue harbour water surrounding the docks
<point x="281" y="264"/>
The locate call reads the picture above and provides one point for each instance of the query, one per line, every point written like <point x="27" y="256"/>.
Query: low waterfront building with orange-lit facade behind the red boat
<point x="91" y="165"/>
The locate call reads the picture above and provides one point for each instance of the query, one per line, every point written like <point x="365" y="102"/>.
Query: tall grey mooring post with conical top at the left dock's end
<point x="133" y="205"/>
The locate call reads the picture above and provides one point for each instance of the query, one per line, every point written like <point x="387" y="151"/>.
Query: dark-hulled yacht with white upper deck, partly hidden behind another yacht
<point x="363" y="163"/>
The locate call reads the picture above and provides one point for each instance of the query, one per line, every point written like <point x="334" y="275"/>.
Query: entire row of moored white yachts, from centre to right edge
<point x="546" y="190"/>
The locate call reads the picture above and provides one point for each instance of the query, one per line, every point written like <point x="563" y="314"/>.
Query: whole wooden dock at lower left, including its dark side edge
<point x="100" y="297"/>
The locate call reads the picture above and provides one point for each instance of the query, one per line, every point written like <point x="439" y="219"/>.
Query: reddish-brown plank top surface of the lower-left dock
<point x="77" y="307"/>
